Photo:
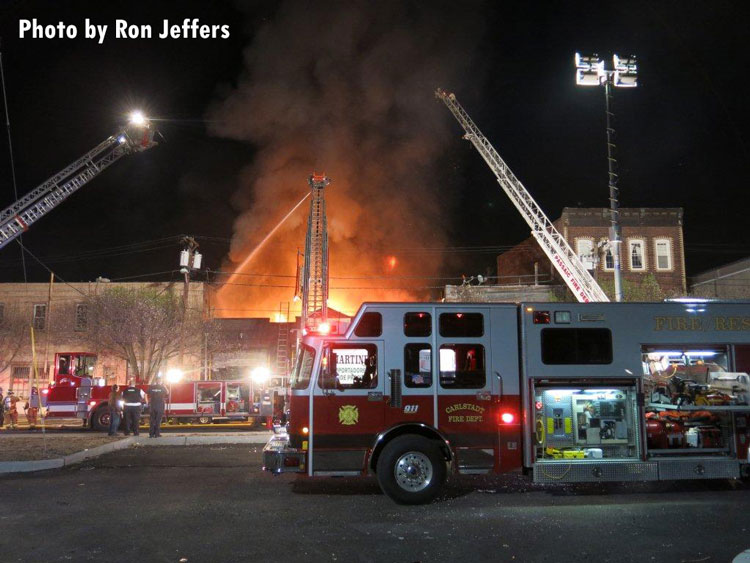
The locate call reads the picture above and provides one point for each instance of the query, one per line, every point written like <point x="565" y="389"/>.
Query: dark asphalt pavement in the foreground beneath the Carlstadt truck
<point x="213" y="503"/>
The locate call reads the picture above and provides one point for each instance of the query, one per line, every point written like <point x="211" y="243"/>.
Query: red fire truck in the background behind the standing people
<point x="75" y="393"/>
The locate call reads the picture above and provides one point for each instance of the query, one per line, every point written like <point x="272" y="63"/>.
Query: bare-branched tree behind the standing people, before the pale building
<point x="144" y="326"/>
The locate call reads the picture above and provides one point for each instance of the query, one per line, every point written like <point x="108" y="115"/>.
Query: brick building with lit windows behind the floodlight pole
<point x="652" y="243"/>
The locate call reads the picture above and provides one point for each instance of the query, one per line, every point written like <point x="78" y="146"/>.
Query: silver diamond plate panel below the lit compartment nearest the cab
<point x="594" y="471"/>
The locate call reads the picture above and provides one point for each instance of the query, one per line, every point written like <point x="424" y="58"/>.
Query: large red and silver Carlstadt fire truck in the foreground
<point x="563" y="392"/>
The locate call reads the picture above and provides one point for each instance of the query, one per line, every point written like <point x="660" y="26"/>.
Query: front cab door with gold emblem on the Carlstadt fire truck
<point x="348" y="406"/>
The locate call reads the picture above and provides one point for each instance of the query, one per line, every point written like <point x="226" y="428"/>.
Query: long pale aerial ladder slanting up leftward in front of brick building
<point x="576" y="276"/>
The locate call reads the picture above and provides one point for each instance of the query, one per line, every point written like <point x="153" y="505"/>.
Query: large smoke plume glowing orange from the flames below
<point x="345" y="88"/>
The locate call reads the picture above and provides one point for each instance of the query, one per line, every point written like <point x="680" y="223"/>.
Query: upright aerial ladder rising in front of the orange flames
<point x="315" y="272"/>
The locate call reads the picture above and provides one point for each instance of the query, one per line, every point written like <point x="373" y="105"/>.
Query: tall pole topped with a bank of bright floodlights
<point x="590" y="71"/>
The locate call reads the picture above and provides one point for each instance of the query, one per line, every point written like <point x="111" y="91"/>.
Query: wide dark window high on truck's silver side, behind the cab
<point x="562" y="346"/>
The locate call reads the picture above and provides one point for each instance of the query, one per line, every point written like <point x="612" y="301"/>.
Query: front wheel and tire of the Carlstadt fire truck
<point x="411" y="470"/>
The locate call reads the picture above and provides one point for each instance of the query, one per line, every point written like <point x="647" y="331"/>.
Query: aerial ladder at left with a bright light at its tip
<point x="136" y="136"/>
